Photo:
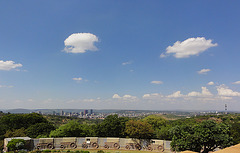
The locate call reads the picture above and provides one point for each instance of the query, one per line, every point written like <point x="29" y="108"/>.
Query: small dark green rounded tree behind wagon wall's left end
<point x="39" y="129"/>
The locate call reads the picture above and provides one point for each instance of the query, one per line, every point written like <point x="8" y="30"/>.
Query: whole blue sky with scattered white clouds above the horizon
<point x="158" y="55"/>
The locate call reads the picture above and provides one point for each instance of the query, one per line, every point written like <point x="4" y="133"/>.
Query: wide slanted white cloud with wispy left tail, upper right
<point x="189" y="47"/>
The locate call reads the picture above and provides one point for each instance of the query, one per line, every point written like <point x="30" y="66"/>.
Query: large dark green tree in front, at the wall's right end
<point x="203" y="137"/>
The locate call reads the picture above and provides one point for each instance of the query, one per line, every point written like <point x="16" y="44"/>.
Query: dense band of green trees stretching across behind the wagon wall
<point x="191" y="133"/>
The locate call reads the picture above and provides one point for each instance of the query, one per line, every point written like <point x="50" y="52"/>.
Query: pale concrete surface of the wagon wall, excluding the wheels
<point x="79" y="141"/>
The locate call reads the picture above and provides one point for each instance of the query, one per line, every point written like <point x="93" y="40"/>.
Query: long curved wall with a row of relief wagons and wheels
<point x="93" y="143"/>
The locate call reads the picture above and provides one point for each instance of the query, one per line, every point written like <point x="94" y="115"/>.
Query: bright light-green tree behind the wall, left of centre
<point x="71" y="129"/>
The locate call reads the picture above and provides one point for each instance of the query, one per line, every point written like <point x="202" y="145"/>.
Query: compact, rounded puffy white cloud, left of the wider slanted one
<point x="80" y="43"/>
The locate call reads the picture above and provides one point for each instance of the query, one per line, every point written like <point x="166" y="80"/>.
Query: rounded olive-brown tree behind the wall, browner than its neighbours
<point x="139" y="129"/>
